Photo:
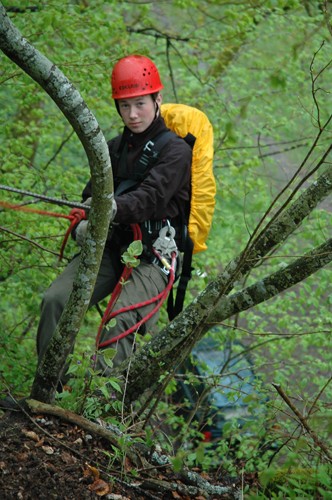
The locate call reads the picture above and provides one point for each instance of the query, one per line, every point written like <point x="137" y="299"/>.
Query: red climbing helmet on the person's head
<point x="133" y="76"/>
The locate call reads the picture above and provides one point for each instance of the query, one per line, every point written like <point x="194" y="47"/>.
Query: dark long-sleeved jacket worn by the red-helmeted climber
<point x="165" y="191"/>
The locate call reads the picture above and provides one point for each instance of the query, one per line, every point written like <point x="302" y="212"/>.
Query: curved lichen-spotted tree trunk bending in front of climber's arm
<point x="70" y="102"/>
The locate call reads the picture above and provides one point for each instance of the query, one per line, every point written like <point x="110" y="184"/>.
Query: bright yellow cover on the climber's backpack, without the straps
<point x="184" y="120"/>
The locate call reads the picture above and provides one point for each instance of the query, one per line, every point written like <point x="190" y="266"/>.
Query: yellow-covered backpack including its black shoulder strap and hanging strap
<point x="194" y="127"/>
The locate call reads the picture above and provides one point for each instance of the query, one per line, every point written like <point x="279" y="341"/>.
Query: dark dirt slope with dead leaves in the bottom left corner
<point x="43" y="457"/>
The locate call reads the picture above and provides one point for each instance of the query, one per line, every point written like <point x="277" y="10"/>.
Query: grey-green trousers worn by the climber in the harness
<point x="146" y="281"/>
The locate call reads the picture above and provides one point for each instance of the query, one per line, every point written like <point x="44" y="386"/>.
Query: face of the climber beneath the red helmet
<point x="138" y="112"/>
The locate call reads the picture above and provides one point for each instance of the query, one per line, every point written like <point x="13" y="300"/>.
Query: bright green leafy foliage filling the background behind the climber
<point x="251" y="70"/>
